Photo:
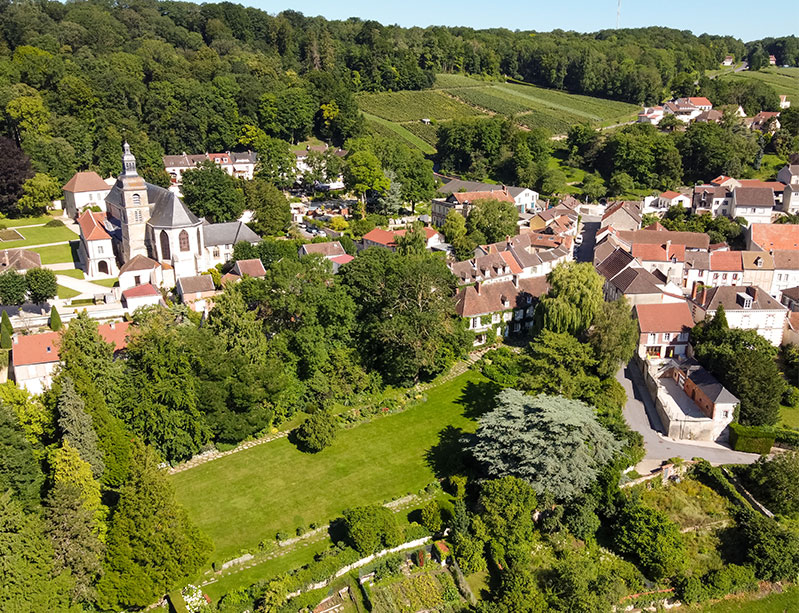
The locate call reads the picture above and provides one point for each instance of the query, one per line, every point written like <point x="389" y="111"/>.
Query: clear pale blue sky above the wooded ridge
<point x="733" y="17"/>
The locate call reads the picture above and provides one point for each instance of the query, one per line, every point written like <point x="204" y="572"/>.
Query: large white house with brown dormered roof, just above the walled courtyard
<point x="746" y="308"/>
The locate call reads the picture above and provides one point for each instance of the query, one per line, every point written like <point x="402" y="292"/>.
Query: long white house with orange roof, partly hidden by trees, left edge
<point x="34" y="357"/>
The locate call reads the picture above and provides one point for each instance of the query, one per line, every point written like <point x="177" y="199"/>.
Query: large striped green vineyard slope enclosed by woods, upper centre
<point x="456" y="96"/>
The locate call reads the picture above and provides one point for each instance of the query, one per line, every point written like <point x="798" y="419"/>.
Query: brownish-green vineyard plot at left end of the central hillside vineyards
<point x="414" y="105"/>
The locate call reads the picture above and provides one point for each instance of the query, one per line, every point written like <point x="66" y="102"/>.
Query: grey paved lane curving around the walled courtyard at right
<point x="641" y="416"/>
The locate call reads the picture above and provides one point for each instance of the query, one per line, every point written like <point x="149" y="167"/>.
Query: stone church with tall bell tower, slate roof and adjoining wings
<point x="148" y="230"/>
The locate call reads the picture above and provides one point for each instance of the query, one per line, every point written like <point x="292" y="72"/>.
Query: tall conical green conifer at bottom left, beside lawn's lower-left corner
<point x="152" y="544"/>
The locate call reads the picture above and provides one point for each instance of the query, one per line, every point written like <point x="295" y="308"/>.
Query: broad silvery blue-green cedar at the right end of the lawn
<point x="555" y="444"/>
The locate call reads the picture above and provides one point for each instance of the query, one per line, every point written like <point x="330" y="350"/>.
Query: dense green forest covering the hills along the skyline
<point x="76" y="78"/>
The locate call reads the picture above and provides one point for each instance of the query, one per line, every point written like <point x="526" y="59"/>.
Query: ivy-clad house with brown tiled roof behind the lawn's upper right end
<point x="496" y="310"/>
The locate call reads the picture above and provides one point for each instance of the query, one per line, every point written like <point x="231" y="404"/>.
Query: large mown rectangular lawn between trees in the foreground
<point x="251" y="495"/>
